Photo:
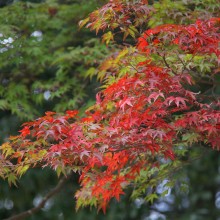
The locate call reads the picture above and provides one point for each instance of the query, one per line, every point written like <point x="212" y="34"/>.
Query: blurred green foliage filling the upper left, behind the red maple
<point x="42" y="49"/>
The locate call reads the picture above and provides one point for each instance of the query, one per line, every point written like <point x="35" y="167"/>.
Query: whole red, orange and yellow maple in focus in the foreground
<point x="146" y="117"/>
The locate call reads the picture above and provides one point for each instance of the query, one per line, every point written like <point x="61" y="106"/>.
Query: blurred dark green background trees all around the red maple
<point x="44" y="66"/>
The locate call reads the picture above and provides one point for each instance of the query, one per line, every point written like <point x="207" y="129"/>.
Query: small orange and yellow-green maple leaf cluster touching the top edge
<point x="122" y="16"/>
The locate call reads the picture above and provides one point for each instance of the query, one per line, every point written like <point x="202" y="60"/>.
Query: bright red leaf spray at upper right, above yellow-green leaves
<point x="201" y="37"/>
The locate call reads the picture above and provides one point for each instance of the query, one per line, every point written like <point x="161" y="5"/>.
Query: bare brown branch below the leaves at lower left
<point x="33" y="210"/>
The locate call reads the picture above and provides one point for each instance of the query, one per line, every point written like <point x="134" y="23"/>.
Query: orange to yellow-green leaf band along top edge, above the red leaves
<point x="133" y="17"/>
